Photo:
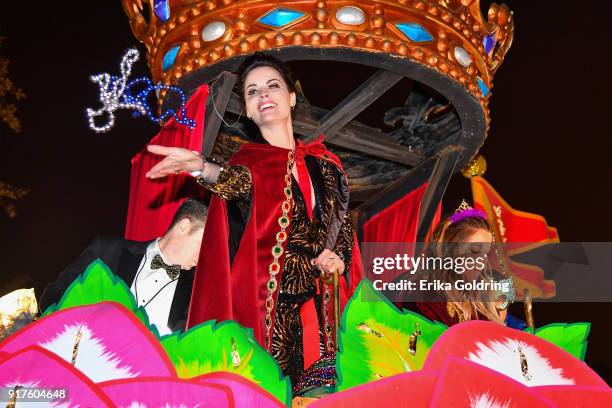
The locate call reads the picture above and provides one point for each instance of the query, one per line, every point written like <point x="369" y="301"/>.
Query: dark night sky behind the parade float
<point x="547" y="149"/>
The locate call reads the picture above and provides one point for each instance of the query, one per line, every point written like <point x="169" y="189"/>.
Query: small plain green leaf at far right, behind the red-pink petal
<point x="571" y="337"/>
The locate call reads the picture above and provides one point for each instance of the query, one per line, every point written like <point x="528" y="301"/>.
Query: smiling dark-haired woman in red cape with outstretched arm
<point x="276" y="221"/>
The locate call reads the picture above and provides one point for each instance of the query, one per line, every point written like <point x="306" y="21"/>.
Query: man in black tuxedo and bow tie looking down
<point x="159" y="272"/>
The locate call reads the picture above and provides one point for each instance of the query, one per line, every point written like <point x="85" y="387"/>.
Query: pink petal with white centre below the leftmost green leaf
<point x="112" y="342"/>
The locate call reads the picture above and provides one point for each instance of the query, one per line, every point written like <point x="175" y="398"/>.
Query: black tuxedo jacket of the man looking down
<point x="123" y="257"/>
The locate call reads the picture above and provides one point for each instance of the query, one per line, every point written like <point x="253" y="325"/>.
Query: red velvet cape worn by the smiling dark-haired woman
<point x="238" y="291"/>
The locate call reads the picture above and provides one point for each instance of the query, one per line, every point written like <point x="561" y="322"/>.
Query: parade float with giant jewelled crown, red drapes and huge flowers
<point x="95" y="347"/>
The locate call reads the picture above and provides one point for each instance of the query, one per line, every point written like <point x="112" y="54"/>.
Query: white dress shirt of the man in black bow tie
<point x="154" y="289"/>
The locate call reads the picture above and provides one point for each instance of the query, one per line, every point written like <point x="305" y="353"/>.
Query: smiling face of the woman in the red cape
<point x="267" y="98"/>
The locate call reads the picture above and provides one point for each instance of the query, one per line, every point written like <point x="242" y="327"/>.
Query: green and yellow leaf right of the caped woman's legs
<point x="375" y="338"/>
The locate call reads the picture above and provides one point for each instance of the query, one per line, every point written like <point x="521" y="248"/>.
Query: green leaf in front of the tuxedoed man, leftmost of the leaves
<point x="98" y="284"/>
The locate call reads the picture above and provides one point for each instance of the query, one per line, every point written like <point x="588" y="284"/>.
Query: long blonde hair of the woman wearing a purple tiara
<point x="471" y="303"/>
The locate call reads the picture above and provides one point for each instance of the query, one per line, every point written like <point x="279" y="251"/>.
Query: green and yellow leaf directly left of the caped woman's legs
<point x="226" y="346"/>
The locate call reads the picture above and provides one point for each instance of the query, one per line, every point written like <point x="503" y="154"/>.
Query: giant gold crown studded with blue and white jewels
<point x="449" y="36"/>
